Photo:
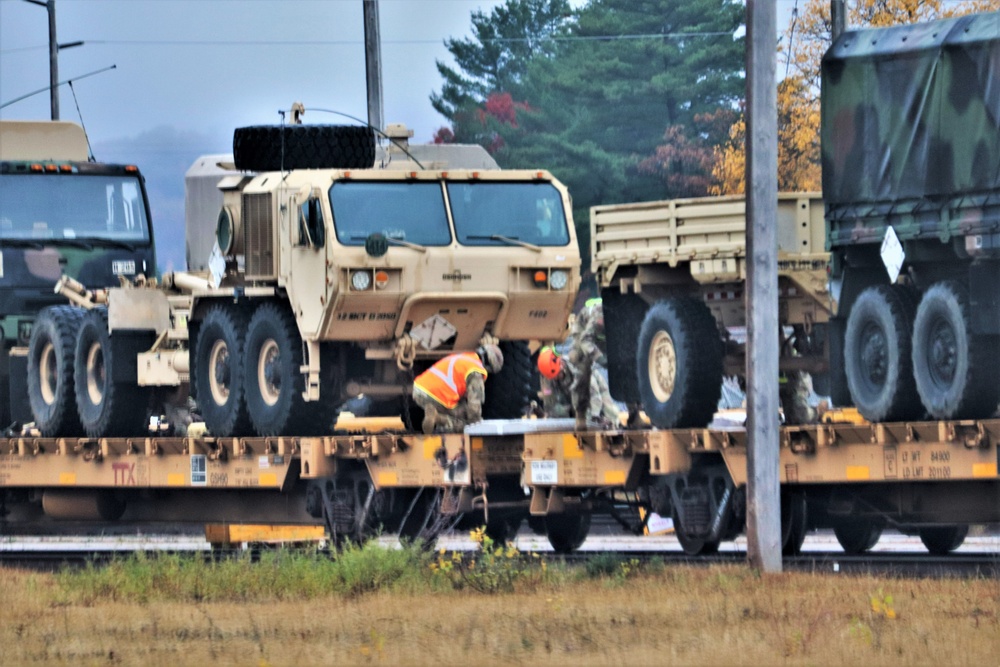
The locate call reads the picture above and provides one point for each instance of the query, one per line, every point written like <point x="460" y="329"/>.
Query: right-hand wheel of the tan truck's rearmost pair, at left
<point x="107" y="409"/>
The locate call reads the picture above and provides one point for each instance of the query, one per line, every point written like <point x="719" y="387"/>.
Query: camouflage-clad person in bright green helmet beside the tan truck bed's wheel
<point x="586" y="350"/>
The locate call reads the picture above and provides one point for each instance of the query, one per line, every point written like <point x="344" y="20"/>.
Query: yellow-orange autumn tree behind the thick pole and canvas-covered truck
<point x="806" y="40"/>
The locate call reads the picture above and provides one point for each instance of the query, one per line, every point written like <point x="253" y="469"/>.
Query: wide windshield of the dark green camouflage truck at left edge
<point x="72" y="206"/>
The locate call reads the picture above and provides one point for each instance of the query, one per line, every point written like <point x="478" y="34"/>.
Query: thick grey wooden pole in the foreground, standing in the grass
<point x="763" y="488"/>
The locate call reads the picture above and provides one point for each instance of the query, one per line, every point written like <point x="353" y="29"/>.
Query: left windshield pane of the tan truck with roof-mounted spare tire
<point x="412" y="212"/>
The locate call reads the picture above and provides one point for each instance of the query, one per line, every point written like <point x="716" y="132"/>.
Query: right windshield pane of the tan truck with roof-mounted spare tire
<point x="528" y="212"/>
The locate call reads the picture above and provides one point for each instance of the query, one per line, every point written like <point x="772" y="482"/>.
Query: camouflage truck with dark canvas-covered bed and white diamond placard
<point x="911" y="179"/>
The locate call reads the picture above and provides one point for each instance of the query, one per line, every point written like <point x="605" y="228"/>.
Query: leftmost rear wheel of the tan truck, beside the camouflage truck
<point x="50" y="371"/>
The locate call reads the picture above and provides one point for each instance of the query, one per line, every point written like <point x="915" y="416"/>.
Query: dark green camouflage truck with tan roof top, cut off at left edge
<point x="60" y="214"/>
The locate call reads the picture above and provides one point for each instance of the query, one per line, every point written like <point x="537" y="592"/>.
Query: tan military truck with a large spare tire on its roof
<point x="330" y="279"/>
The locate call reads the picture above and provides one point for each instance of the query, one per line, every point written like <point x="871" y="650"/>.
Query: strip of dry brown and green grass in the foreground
<point x="404" y="607"/>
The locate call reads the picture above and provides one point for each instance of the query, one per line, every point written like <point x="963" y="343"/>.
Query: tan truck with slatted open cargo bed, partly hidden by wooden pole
<point x="672" y="277"/>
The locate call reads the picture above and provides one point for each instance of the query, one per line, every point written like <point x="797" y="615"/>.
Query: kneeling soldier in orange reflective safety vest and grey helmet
<point x="452" y="391"/>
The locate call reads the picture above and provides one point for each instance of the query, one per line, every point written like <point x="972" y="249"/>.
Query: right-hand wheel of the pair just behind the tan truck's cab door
<point x="274" y="384"/>
